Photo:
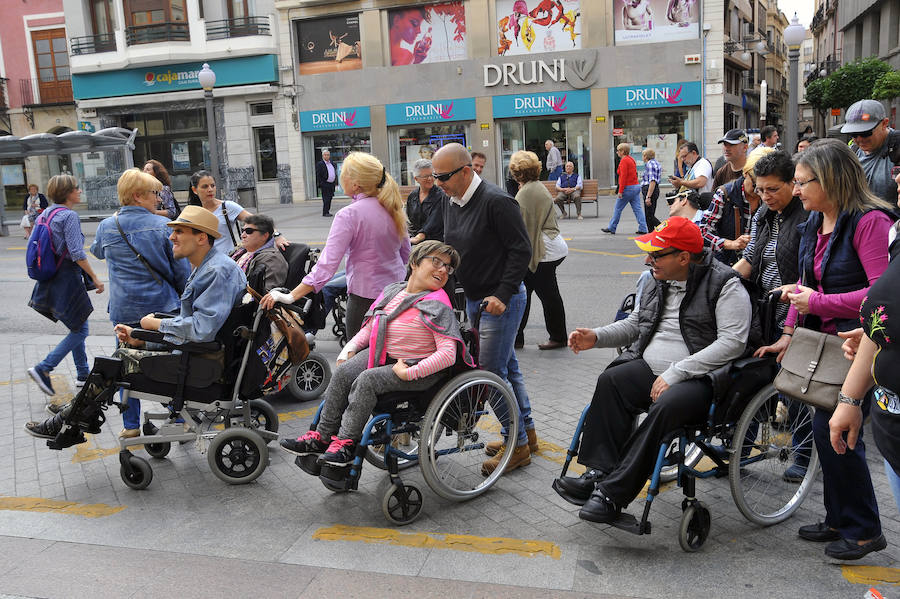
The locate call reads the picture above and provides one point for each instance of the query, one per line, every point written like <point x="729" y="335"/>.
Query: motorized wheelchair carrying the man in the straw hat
<point x="215" y="403"/>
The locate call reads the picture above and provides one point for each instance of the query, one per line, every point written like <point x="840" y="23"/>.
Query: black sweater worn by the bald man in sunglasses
<point x="490" y="236"/>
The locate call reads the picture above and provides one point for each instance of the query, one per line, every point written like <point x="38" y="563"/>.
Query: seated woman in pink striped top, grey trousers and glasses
<point x="411" y="334"/>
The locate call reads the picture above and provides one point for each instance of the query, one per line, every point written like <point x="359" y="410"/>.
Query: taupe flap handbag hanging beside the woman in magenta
<point x="813" y="369"/>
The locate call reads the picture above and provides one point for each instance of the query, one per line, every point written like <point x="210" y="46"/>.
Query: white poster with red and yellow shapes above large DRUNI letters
<point x="526" y="26"/>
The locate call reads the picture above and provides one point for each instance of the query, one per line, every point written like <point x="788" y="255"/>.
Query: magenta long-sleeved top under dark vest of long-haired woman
<point x="868" y="241"/>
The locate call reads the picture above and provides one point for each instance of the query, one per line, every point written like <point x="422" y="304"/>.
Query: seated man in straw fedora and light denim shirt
<point x="213" y="288"/>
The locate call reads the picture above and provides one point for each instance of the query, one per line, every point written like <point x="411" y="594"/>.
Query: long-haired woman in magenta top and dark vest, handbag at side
<point x="842" y="253"/>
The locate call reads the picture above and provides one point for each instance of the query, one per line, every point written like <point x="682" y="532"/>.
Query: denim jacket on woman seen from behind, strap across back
<point x="133" y="292"/>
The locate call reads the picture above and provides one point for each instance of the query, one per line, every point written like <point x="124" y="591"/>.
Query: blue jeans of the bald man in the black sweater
<point x="497" y="334"/>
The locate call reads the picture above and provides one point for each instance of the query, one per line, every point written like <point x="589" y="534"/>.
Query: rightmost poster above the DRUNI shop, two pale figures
<point x="648" y="21"/>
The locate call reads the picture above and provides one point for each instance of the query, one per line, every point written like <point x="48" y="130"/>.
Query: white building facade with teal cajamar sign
<point x="135" y="64"/>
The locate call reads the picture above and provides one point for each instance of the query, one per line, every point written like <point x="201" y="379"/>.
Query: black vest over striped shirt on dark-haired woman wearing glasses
<point x="786" y="246"/>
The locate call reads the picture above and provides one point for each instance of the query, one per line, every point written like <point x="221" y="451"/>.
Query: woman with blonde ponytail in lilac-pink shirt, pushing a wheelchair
<point x="371" y="232"/>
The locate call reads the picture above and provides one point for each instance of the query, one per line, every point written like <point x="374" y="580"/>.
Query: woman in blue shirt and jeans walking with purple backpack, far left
<point x="64" y="297"/>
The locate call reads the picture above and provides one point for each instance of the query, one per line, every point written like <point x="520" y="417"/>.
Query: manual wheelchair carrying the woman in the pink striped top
<point x="441" y="429"/>
